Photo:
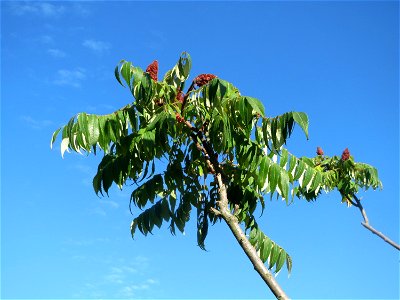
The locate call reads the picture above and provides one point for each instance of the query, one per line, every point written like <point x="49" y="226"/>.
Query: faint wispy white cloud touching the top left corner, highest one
<point x="37" y="8"/>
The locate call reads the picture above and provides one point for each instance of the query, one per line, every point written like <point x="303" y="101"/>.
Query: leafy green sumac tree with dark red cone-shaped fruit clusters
<point x="224" y="155"/>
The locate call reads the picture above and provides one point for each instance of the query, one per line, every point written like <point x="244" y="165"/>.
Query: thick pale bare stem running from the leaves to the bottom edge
<point x="248" y="249"/>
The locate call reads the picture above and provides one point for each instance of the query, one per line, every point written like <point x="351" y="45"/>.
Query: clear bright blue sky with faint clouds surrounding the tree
<point x="336" y="61"/>
